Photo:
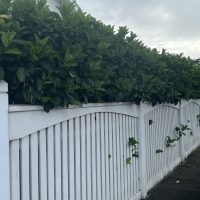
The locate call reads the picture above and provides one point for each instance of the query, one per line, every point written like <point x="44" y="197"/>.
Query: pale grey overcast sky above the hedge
<point x="170" y="24"/>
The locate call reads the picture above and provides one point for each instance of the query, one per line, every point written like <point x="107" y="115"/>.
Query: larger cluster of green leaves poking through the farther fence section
<point x="180" y="131"/>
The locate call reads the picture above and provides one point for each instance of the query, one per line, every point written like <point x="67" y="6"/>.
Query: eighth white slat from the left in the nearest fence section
<point x="71" y="160"/>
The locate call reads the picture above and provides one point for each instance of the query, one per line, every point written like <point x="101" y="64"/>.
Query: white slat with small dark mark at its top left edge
<point x="98" y="157"/>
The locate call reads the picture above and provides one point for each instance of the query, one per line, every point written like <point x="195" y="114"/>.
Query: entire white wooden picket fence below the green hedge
<point x="80" y="153"/>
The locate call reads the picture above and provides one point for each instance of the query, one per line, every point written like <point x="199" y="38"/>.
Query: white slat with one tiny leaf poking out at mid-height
<point x="111" y="157"/>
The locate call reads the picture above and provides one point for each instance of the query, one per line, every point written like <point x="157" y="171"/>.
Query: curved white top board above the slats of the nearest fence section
<point x="40" y="119"/>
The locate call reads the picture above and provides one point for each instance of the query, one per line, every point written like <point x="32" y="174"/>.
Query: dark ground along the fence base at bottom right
<point x="182" y="184"/>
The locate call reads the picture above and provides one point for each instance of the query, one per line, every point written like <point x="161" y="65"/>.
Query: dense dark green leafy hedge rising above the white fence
<point x="56" y="59"/>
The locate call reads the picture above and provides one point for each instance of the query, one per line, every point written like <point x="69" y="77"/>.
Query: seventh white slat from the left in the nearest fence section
<point x="65" y="160"/>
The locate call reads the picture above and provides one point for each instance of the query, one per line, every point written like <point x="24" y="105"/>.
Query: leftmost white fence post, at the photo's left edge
<point x="4" y="143"/>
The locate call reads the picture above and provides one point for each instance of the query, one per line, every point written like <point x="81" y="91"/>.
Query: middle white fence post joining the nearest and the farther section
<point x="142" y="152"/>
